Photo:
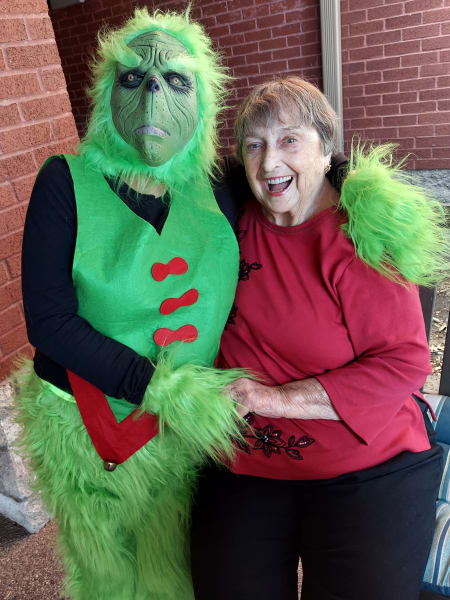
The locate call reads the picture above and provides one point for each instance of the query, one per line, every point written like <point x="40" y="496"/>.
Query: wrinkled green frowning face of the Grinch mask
<point x="154" y="106"/>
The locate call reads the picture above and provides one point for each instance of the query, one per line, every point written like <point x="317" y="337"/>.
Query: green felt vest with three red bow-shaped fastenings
<point x="123" y="270"/>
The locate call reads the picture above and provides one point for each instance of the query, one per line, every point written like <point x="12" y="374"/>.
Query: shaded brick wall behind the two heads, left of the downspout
<point x="258" y="39"/>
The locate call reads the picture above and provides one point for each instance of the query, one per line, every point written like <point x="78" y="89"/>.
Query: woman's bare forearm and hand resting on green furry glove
<point x="305" y="399"/>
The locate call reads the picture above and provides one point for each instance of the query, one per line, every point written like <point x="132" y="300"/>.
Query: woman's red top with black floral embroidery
<point x="306" y="306"/>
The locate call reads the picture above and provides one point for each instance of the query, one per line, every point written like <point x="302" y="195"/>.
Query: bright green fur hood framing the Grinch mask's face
<point x="106" y="151"/>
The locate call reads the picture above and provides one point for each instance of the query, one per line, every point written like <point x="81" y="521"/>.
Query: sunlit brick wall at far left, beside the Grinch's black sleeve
<point x="35" y="122"/>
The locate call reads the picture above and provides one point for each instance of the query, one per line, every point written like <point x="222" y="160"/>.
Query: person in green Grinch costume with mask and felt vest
<point x="129" y="273"/>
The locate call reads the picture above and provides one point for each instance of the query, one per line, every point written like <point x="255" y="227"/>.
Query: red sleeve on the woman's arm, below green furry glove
<point x="392" y="359"/>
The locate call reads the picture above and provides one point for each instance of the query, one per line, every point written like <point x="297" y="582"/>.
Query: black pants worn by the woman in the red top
<point x="361" y="536"/>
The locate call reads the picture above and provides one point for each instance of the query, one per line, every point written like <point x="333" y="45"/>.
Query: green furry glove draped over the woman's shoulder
<point x="396" y="227"/>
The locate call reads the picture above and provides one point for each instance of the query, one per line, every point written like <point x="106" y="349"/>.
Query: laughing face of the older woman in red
<point x="285" y="167"/>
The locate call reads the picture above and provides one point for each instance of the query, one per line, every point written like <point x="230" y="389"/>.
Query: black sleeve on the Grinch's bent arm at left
<point x="50" y="301"/>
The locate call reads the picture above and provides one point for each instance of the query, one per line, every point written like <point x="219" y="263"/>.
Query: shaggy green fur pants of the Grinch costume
<point x="123" y="534"/>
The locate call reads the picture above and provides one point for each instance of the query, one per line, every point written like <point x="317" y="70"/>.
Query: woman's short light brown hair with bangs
<point x="294" y="96"/>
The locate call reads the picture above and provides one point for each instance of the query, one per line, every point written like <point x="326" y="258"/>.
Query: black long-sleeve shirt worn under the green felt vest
<point x="62" y="338"/>
